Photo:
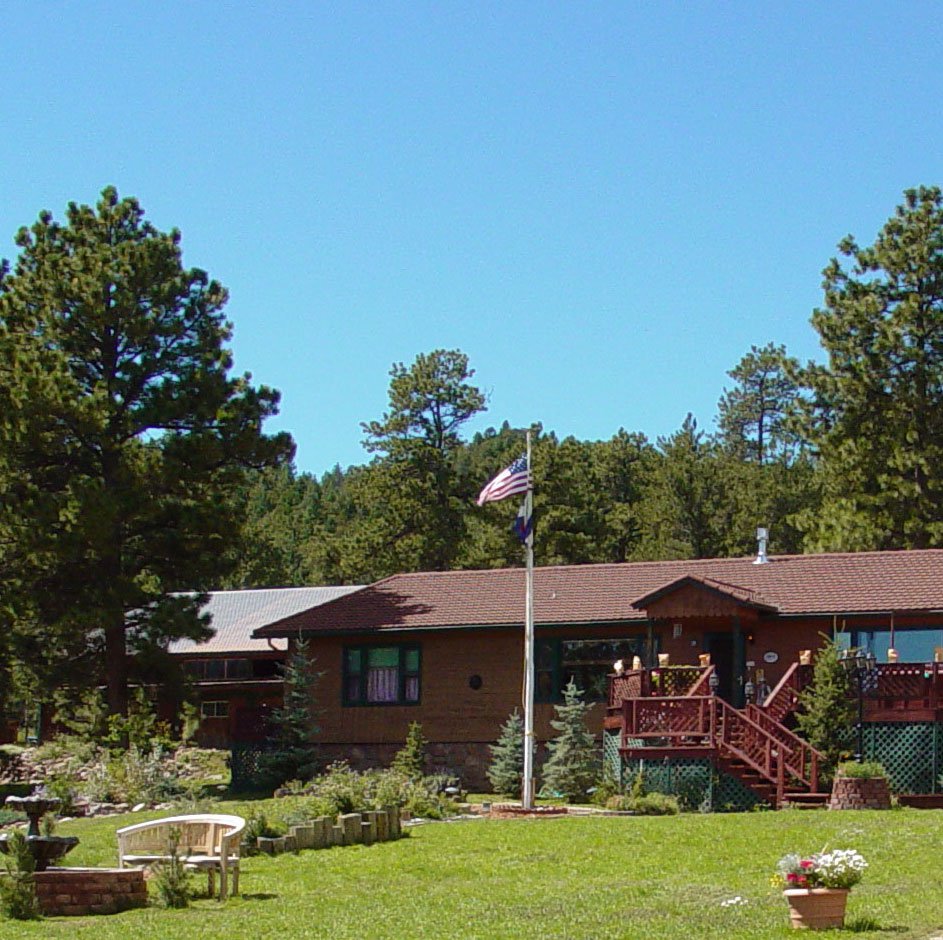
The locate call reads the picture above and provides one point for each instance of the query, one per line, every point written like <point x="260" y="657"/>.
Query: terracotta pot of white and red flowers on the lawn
<point x="816" y="888"/>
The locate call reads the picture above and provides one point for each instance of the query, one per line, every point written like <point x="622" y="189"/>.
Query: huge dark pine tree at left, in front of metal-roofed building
<point x="122" y="435"/>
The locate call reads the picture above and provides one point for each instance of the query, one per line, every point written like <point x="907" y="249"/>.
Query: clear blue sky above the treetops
<point x="603" y="204"/>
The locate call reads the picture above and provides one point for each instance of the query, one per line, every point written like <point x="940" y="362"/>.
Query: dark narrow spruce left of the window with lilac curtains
<point x="294" y="754"/>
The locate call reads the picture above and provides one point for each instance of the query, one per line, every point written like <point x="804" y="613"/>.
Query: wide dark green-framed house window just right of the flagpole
<point x="587" y="662"/>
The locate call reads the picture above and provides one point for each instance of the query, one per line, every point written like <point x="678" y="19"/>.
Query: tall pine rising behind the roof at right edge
<point x="876" y="418"/>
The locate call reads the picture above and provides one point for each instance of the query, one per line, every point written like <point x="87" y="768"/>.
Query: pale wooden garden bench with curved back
<point x="206" y="842"/>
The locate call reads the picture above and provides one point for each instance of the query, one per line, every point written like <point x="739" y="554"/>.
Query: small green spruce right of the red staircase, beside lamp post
<point x="826" y="713"/>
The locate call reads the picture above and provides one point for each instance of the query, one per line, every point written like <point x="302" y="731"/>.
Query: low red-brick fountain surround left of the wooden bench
<point x="83" y="891"/>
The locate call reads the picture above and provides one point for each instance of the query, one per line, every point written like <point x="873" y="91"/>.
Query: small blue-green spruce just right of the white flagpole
<point x="573" y="766"/>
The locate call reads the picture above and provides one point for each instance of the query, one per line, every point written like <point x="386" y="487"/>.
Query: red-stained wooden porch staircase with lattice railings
<point x="750" y="744"/>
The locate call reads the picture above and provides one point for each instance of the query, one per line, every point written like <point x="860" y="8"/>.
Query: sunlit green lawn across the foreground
<point x="568" y="878"/>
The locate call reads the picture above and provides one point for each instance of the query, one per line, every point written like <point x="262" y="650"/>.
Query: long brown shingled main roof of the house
<point x="793" y="584"/>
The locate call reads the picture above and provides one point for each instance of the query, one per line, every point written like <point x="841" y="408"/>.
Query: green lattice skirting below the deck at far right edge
<point x="911" y="752"/>
